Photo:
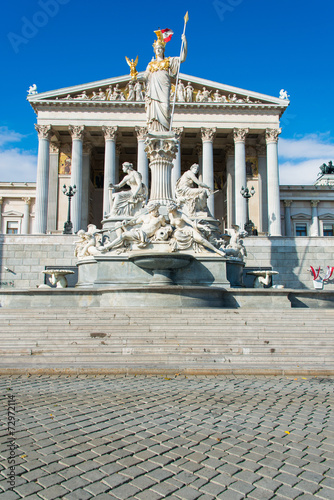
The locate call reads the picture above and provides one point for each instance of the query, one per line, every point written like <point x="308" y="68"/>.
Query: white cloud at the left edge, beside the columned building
<point x="17" y="166"/>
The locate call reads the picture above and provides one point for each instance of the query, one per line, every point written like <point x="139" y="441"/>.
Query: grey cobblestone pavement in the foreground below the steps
<point x="153" y="437"/>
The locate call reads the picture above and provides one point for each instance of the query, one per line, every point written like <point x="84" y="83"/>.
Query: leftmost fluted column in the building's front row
<point x="42" y="181"/>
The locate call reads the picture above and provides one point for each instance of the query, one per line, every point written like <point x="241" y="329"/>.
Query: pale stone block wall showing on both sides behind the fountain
<point x="27" y="256"/>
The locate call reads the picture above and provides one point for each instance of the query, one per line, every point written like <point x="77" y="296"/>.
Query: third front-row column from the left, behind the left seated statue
<point x="110" y="134"/>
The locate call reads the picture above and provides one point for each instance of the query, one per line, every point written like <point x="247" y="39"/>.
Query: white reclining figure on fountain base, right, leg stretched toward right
<point x="187" y="233"/>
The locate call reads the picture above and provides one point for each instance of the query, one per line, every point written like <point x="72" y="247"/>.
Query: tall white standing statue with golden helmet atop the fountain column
<point x="158" y="76"/>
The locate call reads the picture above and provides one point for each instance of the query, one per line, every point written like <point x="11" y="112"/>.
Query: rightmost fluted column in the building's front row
<point x="274" y="209"/>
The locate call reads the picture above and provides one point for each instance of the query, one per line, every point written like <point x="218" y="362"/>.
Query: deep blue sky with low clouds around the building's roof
<point x="258" y="45"/>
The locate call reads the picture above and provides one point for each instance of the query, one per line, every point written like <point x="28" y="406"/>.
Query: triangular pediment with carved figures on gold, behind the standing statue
<point x="121" y="90"/>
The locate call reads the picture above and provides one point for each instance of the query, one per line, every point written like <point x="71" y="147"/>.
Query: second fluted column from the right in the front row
<point x="240" y="180"/>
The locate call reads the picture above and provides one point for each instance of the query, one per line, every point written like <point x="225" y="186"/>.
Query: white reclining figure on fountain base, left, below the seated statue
<point x="148" y="223"/>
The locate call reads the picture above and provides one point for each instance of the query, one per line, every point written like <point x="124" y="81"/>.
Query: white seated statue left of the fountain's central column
<point x="130" y="201"/>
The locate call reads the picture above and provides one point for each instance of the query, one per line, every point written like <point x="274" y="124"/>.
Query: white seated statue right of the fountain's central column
<point x="192" y="199"/>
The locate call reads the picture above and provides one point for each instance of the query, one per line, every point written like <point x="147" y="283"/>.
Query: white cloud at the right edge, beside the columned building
<point x="300" y="159"/>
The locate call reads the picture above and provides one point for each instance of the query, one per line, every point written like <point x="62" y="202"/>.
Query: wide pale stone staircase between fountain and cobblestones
<point x="167" y="341"/>
